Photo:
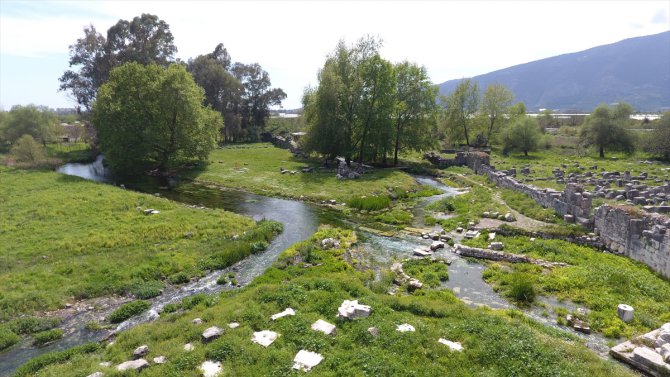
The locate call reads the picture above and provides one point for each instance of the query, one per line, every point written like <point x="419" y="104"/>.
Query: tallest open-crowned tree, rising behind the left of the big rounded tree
<point x="145" y="39"/>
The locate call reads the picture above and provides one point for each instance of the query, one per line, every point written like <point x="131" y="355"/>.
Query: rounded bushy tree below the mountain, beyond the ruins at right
<point x="607" y="128"/>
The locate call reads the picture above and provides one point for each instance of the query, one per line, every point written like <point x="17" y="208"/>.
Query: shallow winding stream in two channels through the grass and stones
<point x="300" y="221"/>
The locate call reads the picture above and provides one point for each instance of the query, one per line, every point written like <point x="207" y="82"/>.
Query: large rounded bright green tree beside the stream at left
<point x="153" y="117"/>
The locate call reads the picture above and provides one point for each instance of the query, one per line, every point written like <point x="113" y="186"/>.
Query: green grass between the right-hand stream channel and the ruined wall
<point x="598" y="281"/>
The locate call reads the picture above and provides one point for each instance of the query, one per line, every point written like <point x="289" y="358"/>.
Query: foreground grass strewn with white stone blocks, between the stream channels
<point x="495" y="343"/>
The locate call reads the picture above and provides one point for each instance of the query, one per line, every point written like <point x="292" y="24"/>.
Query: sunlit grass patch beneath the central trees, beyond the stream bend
<point x="255" y="168"/>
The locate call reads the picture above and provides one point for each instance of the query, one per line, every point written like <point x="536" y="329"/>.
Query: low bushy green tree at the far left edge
<point x="36" y="121"/>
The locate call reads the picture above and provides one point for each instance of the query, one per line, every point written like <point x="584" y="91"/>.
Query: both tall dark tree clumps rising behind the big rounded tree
<point x="241" y="93"/>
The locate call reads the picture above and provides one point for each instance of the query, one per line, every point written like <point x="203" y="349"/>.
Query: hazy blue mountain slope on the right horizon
<point x="635" y="70"/>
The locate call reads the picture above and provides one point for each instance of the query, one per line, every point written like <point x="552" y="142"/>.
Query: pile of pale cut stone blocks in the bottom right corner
<point x="649" y="353"/>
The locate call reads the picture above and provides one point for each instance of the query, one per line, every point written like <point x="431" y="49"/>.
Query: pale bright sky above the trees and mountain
<point x="291" y="39"/>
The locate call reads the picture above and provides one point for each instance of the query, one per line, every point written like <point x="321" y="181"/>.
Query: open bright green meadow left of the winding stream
<point x="63" y="238"/>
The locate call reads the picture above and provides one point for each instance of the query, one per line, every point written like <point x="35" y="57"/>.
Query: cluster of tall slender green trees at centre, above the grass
<point x="367" y="108"/>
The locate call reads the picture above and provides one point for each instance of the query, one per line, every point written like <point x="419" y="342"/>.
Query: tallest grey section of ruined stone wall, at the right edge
<point x="637" y="235"/>
